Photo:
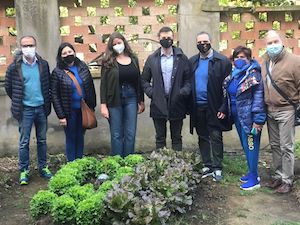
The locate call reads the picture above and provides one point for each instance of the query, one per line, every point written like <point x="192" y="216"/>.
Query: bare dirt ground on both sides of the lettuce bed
<point x="214" y="203"/>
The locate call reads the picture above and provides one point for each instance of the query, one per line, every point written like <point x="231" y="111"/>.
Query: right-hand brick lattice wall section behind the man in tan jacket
<point x="249" y="29"/>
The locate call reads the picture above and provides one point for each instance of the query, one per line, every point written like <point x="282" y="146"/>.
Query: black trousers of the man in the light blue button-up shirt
<point x="161" y="133"/>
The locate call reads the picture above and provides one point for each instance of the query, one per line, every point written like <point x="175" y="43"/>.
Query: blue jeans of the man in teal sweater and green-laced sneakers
<point x="36" y="116"/>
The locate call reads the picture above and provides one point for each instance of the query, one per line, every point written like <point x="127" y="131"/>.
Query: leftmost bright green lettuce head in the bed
<point x="41" y="203"/>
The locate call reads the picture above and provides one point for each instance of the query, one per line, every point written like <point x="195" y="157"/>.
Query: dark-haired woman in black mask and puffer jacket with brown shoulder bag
<point x="69" y="73"/>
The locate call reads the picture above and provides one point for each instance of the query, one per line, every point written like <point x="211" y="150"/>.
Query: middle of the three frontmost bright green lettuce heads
<point x="63" y="210"/>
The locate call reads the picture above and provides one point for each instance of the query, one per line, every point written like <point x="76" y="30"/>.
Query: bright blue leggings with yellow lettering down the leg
<point x="250" y="144"/>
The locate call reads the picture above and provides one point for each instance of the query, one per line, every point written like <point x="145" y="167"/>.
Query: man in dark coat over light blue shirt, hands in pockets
<point x="166" y="80"/>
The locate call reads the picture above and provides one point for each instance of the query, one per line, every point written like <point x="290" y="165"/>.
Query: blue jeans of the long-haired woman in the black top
<point x="122" y="121"/>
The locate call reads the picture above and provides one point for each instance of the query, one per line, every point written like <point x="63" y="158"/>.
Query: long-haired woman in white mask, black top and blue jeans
<point x="121" y="94"/>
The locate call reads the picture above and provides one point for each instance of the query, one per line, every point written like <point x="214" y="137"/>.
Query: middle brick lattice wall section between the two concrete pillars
<point x="88" y="25"/>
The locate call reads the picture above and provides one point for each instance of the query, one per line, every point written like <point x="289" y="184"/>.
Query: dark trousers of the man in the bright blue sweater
<point x="210" y="140"/>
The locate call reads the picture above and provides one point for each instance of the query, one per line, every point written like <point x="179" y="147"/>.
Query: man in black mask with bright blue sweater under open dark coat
<point x="209" y="69"/>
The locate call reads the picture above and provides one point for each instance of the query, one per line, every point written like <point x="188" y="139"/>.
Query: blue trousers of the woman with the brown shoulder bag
<point x="74" y="135"/>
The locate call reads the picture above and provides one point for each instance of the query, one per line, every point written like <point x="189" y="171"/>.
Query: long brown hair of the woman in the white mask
<point x="110" y="54"/>
